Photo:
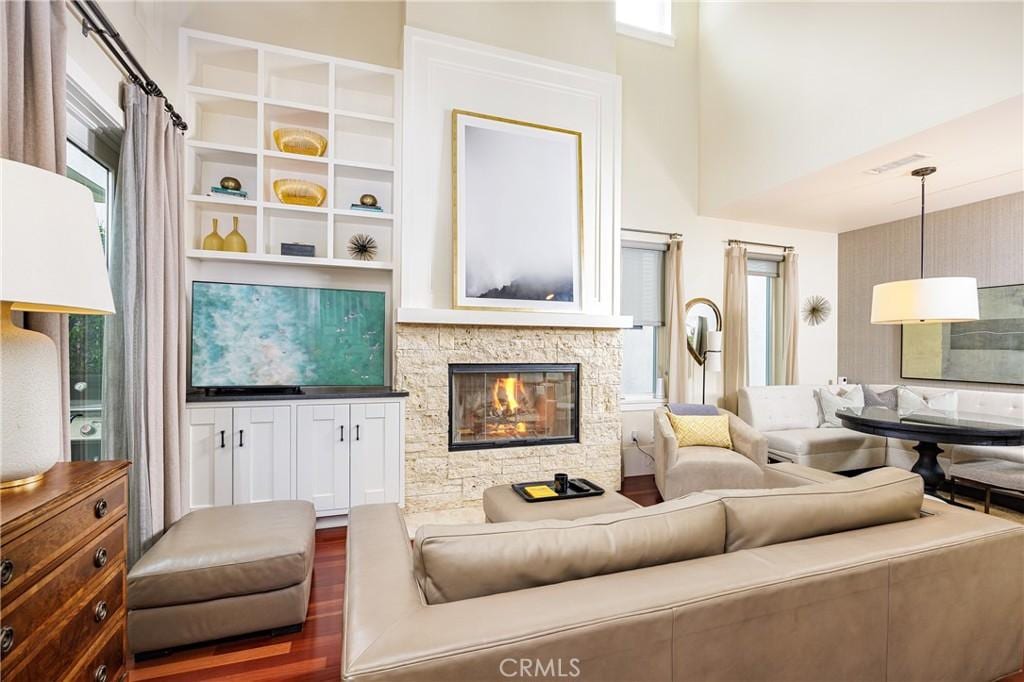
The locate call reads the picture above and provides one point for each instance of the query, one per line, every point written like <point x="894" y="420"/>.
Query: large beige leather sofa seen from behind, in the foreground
<point x="820" y="577"/>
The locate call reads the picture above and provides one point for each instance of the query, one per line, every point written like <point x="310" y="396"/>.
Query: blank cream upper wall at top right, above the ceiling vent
<point x="788" y="89"/>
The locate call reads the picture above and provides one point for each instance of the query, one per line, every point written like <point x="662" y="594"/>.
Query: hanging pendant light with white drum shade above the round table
<point x="926" y="300"/>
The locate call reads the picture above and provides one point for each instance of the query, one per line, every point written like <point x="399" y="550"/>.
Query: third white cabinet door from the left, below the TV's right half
<point x="323" y="438"/>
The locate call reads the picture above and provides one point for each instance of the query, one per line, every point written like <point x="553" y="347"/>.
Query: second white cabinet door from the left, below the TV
<point x="263" y="444"/>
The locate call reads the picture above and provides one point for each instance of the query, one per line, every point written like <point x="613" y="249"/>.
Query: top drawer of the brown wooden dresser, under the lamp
<point x="22" y="560"/>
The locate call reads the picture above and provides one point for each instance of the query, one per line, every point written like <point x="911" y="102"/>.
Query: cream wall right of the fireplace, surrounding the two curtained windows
<point x="661" y="185"/>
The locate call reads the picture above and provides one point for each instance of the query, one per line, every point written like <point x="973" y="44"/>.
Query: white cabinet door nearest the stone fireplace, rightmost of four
<point x="376" y="453"/>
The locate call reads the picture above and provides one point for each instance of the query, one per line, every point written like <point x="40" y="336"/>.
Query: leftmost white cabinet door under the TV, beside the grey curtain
<point x="209" y="457"/>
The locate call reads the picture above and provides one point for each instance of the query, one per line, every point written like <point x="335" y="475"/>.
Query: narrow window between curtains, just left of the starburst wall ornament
<point x="762" y="276"/>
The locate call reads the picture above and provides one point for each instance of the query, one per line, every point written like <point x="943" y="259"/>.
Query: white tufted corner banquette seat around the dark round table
<point x="789" y="417"/>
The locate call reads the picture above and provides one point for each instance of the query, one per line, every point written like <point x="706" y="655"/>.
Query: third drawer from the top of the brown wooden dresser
<point x="92" y="621"/>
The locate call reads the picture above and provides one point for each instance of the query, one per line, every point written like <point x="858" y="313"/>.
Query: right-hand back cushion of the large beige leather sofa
<point x="756" y="519"/>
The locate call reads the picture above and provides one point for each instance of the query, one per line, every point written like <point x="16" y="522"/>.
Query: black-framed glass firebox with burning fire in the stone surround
<point x="505" y="406"/>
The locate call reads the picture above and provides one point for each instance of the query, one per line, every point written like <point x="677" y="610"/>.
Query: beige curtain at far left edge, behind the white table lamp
<point x="33" y="130"/>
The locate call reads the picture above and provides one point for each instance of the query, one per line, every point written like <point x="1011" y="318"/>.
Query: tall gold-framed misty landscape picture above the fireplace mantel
<point x="517" y="216"/>
